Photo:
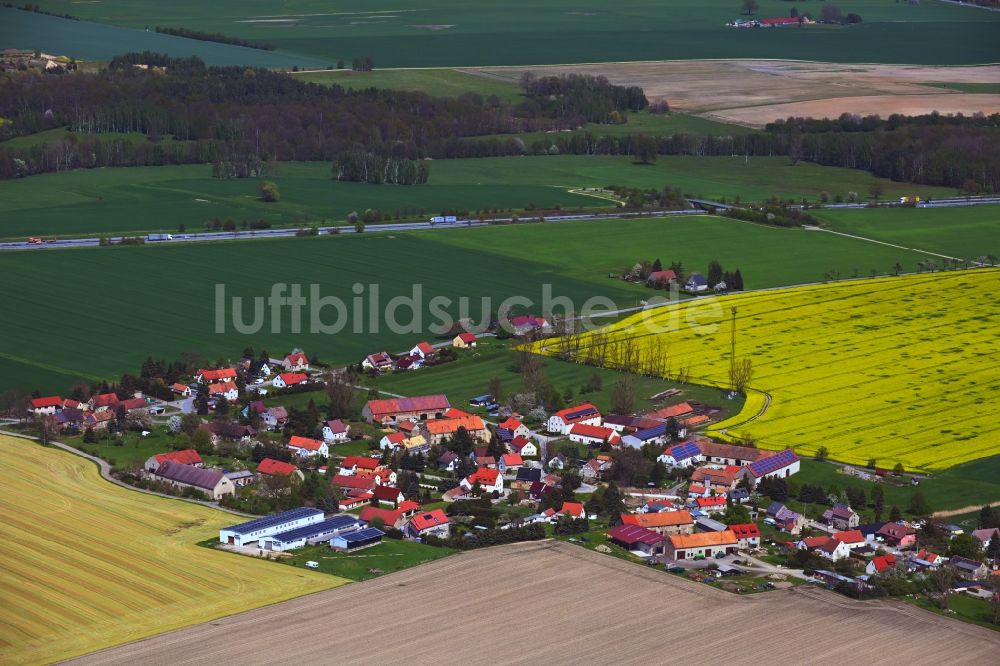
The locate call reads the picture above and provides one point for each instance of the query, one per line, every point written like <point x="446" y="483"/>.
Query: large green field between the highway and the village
<point x="122" y="304"/>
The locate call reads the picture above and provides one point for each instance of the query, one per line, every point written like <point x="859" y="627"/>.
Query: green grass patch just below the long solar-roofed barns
<point x="389" y="556"/>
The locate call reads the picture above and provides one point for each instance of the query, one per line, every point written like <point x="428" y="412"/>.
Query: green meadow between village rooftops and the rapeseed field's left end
<point x="468" y="377"/>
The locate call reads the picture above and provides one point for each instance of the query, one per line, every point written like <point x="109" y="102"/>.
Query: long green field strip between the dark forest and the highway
<point x="151" y="199"/>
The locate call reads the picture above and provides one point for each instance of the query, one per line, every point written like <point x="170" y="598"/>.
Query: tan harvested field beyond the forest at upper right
<point x="734" y="90"/>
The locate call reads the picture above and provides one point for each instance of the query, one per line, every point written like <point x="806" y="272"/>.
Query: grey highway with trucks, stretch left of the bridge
<point x="347" y="229"/>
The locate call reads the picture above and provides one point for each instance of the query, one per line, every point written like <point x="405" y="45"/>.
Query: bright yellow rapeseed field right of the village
<point x="903" y="369"/>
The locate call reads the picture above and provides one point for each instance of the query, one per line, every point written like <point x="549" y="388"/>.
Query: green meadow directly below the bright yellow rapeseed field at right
<point x="971" y="484"/>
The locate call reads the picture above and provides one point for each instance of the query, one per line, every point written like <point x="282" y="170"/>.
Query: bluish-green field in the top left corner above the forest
<point x="96" y="41"/>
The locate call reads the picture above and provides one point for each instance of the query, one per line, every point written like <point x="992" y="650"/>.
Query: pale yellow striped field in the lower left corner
<point x="87" y="564"/>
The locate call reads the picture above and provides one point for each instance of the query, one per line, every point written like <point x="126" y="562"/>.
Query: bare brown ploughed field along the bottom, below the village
<point x="558" y="603"/>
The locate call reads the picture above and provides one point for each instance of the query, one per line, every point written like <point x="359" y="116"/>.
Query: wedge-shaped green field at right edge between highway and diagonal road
<point x="968" y="232"/>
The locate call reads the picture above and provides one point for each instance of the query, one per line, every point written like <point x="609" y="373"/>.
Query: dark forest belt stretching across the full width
<point x="240" y="118"/>
